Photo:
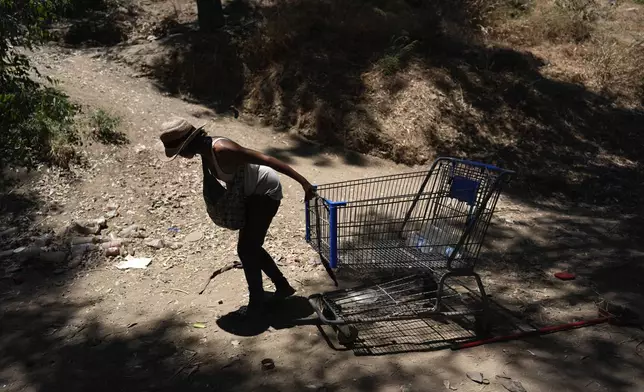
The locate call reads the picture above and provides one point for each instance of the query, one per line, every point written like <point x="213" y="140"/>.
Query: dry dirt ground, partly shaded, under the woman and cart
<point x="95" y="327"/>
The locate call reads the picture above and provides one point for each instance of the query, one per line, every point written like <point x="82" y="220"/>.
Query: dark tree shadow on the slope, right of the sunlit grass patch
<point x="566" y="143"/>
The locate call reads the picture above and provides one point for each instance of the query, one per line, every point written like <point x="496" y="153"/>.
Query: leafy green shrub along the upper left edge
<point x="37" y="120"/>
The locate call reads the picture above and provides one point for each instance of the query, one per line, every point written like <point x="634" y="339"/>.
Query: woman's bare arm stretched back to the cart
<point x="232" y="152"/>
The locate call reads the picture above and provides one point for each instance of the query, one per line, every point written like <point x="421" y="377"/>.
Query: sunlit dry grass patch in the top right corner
<point x="590" y="42"/>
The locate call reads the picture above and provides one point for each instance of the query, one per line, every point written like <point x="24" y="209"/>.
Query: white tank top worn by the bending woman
<point x="258" y="179"/>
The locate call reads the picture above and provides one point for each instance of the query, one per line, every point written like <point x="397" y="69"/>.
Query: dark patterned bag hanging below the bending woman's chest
<point x="226" y="206"/>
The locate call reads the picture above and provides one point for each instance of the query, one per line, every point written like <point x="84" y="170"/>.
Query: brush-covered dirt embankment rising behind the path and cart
<point x="409" y="81"/>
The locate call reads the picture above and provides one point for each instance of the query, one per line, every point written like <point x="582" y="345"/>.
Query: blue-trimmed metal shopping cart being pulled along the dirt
<point x="417" y="230"/>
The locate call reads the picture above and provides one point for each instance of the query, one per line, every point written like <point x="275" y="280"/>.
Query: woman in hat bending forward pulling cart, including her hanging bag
<point x="248" y="202"/>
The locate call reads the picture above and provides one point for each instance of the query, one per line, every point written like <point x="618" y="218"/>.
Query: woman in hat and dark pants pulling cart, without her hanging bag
<point x="262" y="188"/>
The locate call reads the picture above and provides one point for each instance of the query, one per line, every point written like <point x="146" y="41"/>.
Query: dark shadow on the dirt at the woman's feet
<point x="286" y="313"/>
